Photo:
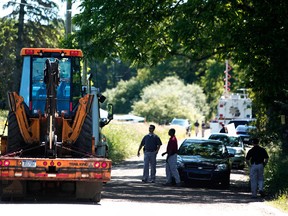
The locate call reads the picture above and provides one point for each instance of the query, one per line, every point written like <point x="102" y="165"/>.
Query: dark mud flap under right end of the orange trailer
<point x="89" y="190"/>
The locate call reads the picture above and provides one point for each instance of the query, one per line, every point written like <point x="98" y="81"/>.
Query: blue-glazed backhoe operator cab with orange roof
<point x="33" y="86"/>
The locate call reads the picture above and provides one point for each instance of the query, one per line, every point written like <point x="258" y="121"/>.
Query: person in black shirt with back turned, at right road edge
<point x="257" y="158"/>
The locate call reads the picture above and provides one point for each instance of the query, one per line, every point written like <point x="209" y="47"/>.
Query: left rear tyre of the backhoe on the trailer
<point x="15" y="139"/>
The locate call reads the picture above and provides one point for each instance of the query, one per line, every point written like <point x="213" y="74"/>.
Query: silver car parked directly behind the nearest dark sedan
<point x="235" y="147"/>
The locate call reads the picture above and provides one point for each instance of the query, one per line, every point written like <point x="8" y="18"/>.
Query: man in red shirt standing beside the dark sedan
<point x="171" y="160"/>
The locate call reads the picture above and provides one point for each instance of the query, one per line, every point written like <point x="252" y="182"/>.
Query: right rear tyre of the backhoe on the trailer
<point x="84" y="141"/>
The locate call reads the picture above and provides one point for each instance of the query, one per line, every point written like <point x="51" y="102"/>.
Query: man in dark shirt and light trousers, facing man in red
<point x="151" y="143"/>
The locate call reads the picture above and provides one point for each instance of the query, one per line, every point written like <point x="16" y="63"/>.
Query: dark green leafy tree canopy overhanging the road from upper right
<point x="251" y="33"/>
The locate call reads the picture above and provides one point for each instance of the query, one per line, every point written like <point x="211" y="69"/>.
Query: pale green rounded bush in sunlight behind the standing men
<point x="161" y="102"/>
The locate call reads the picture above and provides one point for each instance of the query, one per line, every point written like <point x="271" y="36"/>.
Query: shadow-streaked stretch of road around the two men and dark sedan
<point x="126" y="184"/>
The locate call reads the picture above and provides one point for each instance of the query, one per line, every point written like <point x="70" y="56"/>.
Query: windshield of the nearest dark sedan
<point x="206" y="149"/>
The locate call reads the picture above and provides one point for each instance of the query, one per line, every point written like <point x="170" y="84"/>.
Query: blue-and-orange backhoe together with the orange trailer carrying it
<point x="54" y="141"/>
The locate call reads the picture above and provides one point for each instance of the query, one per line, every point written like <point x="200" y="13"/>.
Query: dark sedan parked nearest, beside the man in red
<point x="204" y="160"/>
